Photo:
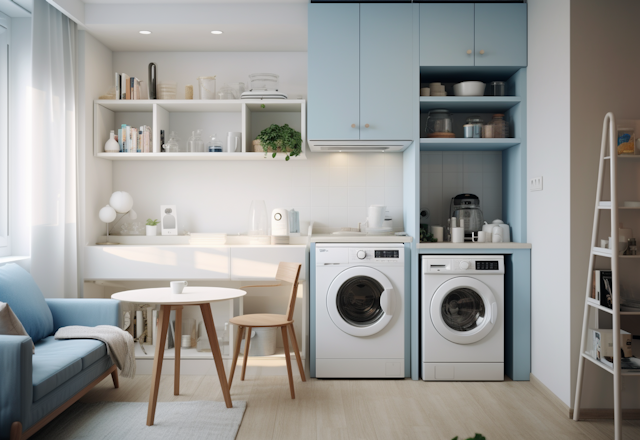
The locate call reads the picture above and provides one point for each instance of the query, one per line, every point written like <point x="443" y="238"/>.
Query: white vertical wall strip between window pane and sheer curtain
<point x="20" y="138"/>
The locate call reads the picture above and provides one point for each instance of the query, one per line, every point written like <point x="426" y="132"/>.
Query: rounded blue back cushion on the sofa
<point x="20" y="291"/>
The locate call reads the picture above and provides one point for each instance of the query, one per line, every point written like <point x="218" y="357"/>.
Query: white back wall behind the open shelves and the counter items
<point x="333" y="190"/>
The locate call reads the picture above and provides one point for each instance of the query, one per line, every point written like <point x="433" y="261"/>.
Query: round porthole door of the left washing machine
<point x="361" y="301"/>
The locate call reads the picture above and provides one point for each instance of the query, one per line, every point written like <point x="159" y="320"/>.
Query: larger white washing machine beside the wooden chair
<point x="359" y="309"/>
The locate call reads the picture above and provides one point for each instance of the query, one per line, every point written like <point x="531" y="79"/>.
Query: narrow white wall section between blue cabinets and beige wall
<point x="548" y="211"/>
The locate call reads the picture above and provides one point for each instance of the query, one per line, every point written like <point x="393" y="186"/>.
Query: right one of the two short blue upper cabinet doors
<point x="501" y="34"/>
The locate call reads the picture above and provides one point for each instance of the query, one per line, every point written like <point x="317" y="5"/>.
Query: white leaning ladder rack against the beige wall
<point x="608" y="131"/>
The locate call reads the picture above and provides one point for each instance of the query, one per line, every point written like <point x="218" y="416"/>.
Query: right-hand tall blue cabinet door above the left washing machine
<point x="386" y="86"/>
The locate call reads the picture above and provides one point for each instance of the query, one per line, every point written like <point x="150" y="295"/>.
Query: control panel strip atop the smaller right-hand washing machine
<point x="463" y="264"/>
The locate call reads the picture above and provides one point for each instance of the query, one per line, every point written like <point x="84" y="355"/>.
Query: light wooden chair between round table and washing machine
<point x="289" y="273"/>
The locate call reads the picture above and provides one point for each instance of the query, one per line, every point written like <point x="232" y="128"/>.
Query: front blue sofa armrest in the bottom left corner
<point x="16" y="390"/>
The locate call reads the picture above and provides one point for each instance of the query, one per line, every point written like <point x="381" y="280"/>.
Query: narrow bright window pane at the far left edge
<point x="5" y="28"/>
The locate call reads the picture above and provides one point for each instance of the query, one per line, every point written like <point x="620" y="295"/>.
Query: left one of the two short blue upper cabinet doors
<point x="446" y="34"/>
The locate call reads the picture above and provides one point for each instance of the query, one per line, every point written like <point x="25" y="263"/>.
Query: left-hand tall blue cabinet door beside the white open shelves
<point x="334" y="71"/>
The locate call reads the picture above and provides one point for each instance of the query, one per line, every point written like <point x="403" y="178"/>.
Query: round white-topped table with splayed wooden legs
<point x="190" y="296"/>
